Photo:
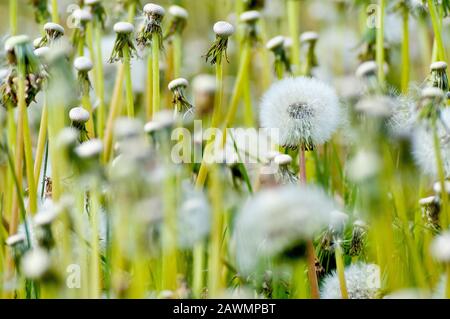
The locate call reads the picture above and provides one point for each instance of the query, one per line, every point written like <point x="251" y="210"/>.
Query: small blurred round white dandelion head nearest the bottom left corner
<point x="35" y="263"/>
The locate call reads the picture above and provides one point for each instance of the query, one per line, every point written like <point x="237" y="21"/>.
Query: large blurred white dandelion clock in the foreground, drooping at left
<point x="277" y="220"/>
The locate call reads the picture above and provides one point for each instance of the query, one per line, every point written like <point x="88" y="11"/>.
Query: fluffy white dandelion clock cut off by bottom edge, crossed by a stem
<point x="363" y="281"/>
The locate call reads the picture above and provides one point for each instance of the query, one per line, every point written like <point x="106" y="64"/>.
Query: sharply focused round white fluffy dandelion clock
<point x="305" y="111"/>
